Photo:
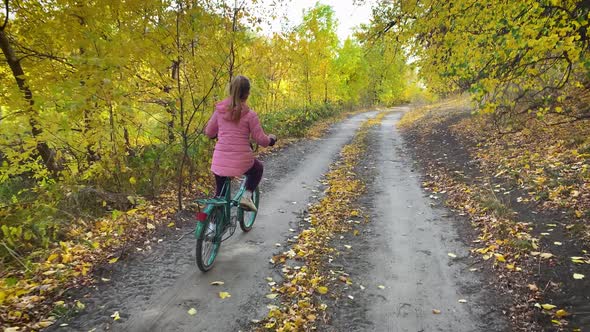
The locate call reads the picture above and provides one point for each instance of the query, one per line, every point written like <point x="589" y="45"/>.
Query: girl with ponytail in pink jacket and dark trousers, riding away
<point x="233" y="123"/>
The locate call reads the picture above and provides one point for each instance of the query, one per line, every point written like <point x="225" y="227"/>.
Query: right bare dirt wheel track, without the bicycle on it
<point x="407" y="249"/>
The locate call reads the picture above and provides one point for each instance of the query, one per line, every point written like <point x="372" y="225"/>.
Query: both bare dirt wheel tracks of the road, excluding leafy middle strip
<point x="406" y="250"/>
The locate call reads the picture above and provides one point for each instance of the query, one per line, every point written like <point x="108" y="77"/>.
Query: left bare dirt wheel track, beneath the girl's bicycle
<point x="153" y="291"/>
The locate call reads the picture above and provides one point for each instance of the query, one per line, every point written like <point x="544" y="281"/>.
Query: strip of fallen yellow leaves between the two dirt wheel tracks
<point x="326" y="218"/>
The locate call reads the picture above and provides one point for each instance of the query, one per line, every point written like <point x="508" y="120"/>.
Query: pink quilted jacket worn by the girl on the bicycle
<point x="233" y="155"/>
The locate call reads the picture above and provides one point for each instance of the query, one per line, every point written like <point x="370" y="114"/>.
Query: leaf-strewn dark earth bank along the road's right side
<point x="526" y="194"/>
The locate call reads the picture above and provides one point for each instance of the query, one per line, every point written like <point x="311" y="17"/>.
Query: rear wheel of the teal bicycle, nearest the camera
<point x="208" y="242"/>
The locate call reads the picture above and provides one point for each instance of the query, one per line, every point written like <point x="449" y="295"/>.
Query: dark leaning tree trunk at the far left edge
<point x="19" y="75"/>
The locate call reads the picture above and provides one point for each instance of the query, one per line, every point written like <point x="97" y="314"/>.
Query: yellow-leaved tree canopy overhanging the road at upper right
<point x="513" y="57"/>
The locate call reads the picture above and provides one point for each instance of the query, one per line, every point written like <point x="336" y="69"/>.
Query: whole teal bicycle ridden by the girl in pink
<point x="218" y="213"/>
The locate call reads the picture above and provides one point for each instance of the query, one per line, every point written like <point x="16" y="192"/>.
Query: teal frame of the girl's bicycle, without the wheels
<point x="224" y="200"/>
